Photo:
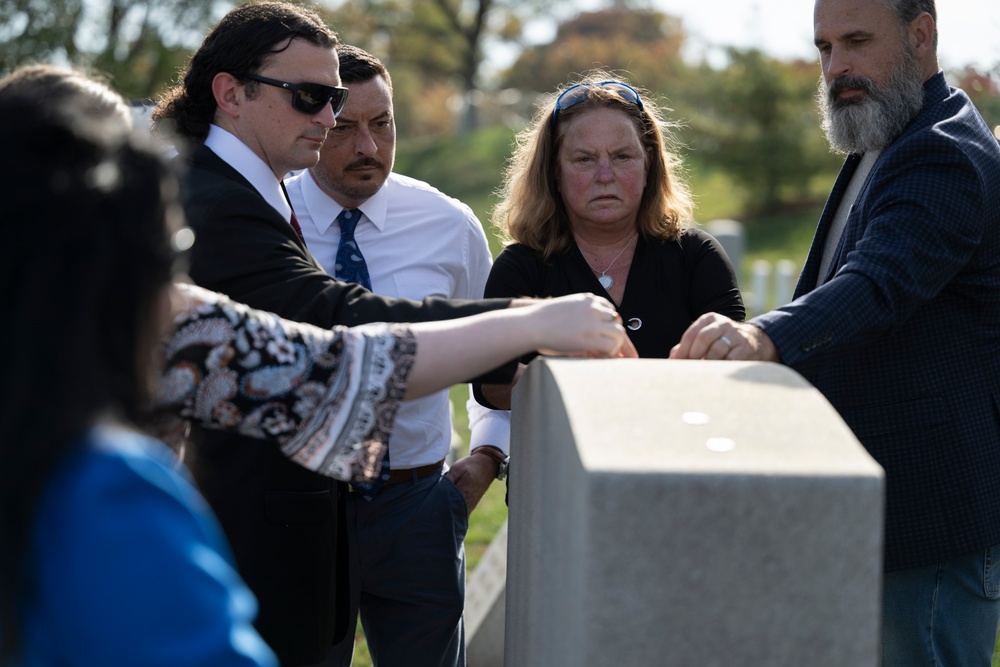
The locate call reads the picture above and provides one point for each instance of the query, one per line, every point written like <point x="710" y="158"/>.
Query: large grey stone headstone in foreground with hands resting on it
<point x="688" y="513"/>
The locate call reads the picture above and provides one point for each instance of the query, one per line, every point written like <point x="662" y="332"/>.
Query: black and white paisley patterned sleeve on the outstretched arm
<point x="328" y="398"/>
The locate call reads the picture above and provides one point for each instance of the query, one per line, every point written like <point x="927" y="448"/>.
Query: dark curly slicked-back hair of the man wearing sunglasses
<point x="240" y="44"/>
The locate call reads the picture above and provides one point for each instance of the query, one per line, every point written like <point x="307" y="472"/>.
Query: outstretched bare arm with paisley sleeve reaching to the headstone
<point x="315" y="391"/>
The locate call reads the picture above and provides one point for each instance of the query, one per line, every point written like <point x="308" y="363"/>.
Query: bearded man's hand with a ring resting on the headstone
<point x="714" y="336"/>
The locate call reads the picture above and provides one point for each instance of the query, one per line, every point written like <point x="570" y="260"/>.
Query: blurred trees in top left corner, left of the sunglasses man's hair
<point x="139" y="44"/>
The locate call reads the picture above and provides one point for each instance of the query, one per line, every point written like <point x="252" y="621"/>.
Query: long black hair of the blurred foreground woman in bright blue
<point x="85" y="255"/>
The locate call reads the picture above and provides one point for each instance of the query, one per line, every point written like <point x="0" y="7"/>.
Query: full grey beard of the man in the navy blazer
<point x="873" y="121"/>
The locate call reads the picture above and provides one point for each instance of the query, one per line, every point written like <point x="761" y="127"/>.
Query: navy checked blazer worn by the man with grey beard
<point x="904" y="339"/>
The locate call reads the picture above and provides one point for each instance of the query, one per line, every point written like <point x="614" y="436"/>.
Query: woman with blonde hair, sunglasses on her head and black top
<point x="594" y="201"/>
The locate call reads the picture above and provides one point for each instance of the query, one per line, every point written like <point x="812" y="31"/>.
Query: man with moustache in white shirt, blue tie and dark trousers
<point x="407" y="560"/>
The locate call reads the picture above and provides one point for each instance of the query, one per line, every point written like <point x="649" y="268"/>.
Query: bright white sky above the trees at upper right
<point x="969" y="30"/>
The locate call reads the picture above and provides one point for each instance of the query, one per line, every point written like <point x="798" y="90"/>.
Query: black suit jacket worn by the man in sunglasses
<point x="281" y="519"/>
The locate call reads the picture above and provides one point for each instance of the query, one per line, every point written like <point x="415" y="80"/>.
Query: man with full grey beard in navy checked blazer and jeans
<point x="896" y="319"/>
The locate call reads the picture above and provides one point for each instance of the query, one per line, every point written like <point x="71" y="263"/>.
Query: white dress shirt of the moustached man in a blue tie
<point x="417" y="243"/>
